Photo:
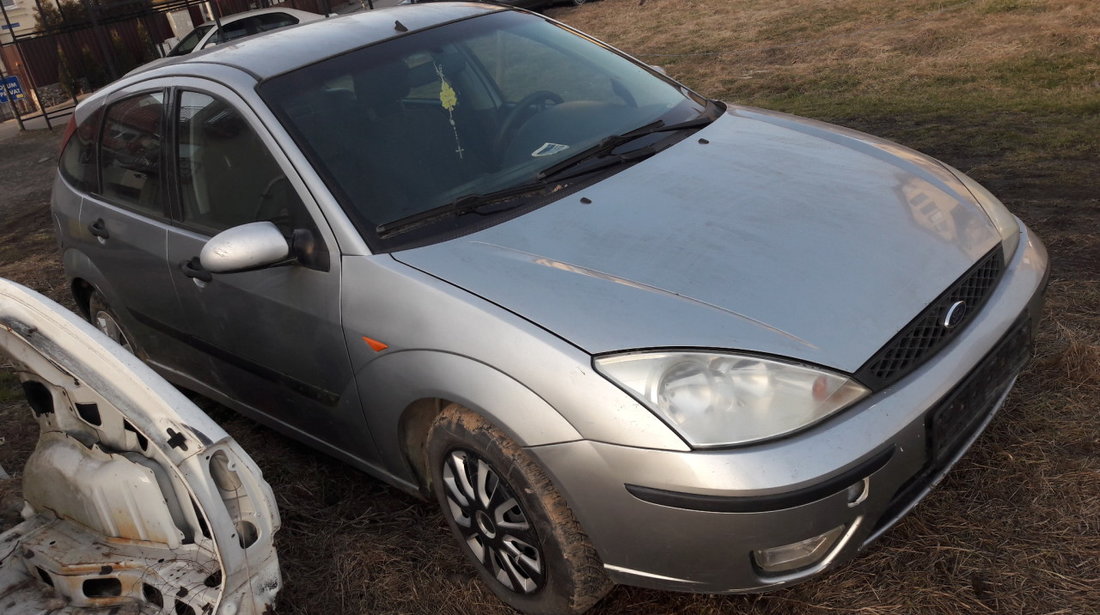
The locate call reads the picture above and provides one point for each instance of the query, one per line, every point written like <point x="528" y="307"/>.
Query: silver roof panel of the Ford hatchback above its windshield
<point x="285" y="50"/>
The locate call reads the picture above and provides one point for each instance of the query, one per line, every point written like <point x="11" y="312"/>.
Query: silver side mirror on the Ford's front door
<point x="249" y="247"/>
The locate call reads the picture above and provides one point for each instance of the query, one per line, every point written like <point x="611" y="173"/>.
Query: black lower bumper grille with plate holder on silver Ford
<point x="955" y="419"/>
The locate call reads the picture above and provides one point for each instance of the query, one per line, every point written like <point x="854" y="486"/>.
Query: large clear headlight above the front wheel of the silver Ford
<point x="720" y="400"/>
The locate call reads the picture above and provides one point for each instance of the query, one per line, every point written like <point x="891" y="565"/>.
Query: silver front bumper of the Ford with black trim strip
<point x="692" y="521"/>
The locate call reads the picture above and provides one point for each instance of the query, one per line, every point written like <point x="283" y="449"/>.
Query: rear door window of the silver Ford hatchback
<point x="130" y="153"/>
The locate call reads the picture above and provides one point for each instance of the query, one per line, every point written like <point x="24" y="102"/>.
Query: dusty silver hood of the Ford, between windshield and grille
<point x="762" y="233"/>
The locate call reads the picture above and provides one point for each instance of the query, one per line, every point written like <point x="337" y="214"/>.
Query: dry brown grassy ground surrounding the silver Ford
<point x="1008" y="92"/>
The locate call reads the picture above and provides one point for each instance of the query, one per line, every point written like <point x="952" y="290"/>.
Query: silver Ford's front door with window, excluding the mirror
<point x="273" y="336"/>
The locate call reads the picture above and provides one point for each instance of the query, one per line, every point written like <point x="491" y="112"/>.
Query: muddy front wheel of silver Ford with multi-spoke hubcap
<point x="519" y="532"/>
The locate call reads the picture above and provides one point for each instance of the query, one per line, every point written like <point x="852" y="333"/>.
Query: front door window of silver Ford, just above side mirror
<point x="227" y="175"/>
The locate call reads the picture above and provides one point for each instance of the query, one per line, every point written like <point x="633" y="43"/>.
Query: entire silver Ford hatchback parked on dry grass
<point x="622" y="333"/>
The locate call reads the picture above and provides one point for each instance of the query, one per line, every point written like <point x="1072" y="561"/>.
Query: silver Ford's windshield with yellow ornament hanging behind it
<point x="471" y="108"/>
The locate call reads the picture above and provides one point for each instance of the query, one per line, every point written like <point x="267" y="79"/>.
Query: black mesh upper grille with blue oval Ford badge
<point x="927" y="334"/>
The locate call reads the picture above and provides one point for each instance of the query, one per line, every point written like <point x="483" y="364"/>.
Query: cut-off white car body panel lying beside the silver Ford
<point x="135" y="499"/>
